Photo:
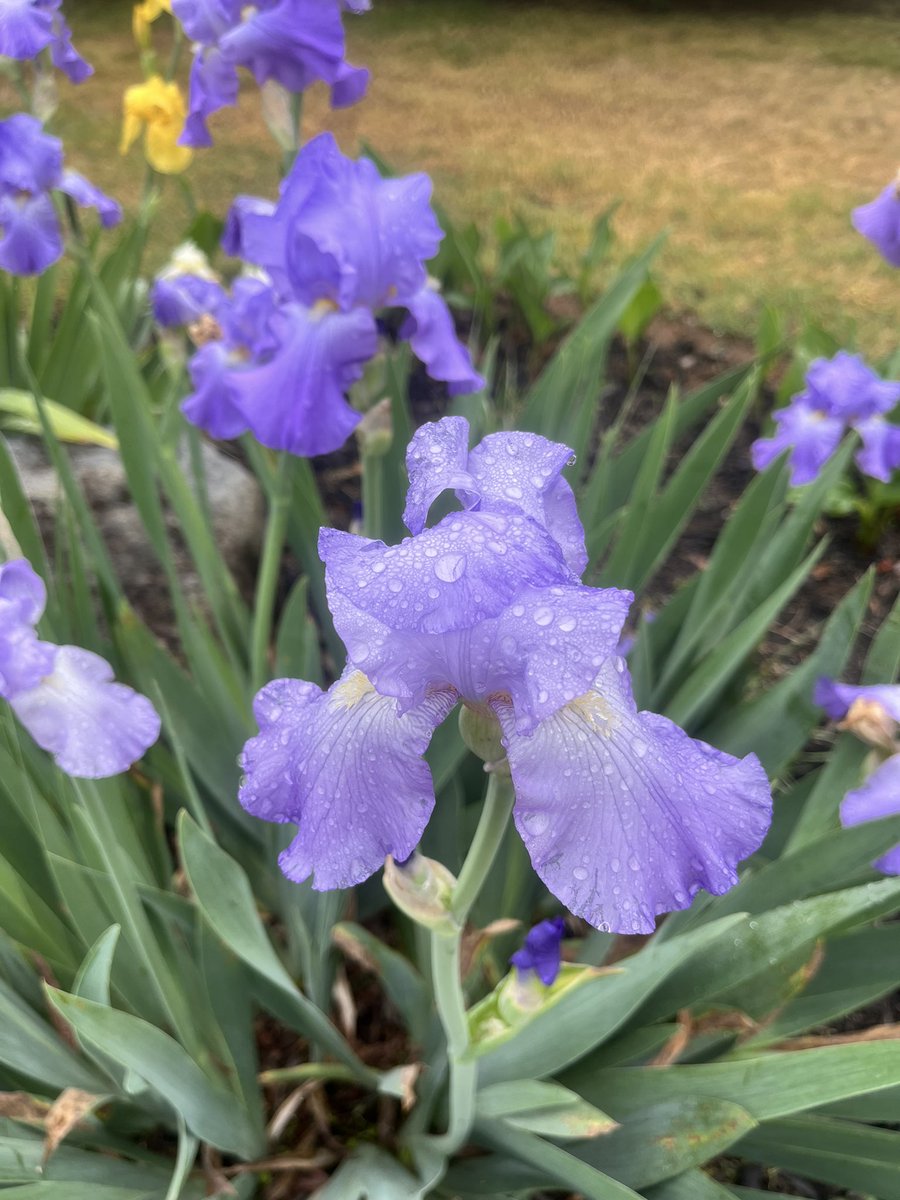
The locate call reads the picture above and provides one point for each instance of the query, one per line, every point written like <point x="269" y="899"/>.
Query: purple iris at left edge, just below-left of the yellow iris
<point x="31" y="170"/>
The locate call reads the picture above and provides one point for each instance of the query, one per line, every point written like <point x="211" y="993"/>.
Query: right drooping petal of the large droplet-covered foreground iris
<point x="627" y="818"/>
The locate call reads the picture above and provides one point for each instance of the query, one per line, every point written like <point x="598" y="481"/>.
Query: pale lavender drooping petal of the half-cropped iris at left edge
<point x="93" y="727"/>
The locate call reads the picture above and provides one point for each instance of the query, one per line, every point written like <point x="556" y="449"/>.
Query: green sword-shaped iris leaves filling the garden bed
<point x="146" y="938"/>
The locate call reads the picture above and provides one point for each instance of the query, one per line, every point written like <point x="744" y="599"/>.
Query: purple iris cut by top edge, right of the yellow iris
<point x="293" y="43"/>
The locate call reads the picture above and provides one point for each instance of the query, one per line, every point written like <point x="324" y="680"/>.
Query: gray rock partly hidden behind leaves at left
<point x="236" y="505"/>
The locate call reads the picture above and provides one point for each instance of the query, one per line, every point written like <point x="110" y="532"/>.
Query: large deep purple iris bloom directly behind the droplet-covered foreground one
<point x="340" y="245"/>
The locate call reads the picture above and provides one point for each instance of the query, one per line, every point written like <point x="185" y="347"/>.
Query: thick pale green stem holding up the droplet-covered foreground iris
<point x="446" y="959"/>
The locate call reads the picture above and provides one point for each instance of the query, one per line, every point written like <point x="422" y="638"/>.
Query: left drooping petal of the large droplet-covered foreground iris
<point x="347" y="770"/>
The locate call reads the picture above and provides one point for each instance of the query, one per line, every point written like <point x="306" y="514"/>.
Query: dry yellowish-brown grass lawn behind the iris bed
<point x="747" y="131"/>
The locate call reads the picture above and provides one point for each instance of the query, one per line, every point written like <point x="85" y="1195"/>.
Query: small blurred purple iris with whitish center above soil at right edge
<point x="842" y="393"/>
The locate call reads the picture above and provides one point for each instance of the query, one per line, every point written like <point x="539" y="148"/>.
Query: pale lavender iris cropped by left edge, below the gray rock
<point x="67" y="697"/>
